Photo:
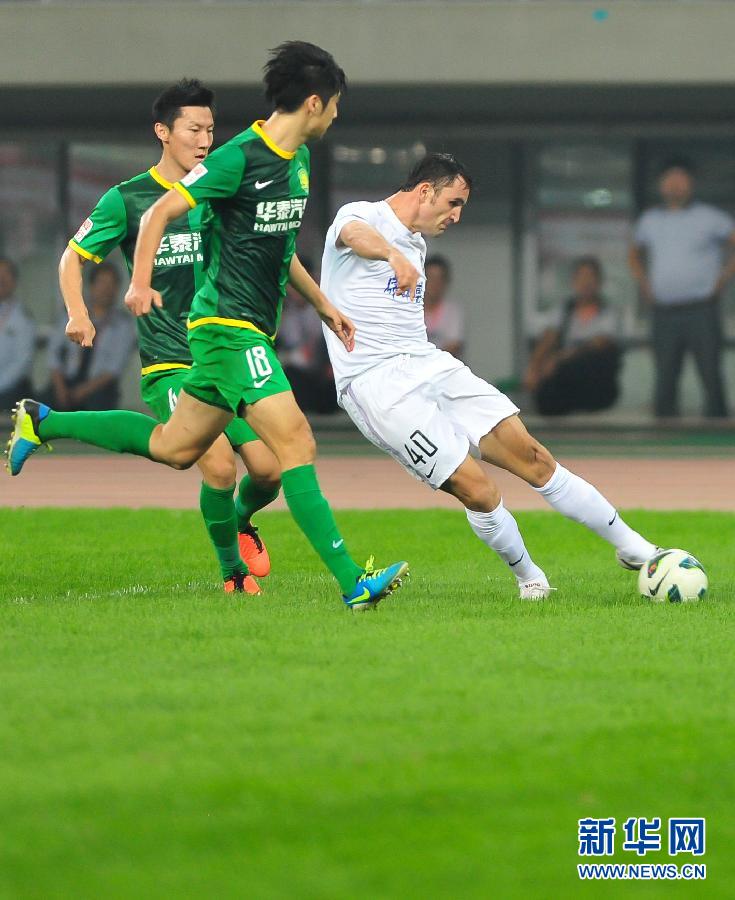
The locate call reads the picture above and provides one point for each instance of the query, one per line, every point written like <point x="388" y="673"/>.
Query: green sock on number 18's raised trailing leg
<point x="115" y="429"/>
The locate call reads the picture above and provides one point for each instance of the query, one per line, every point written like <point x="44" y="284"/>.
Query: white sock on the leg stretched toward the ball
<point x="578" y="500"/>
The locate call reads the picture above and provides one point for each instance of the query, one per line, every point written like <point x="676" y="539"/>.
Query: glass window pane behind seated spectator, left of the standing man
<point x="580" y="203"/>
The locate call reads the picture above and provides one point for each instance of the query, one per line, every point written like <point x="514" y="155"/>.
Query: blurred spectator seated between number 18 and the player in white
<point x="303" y="353"/>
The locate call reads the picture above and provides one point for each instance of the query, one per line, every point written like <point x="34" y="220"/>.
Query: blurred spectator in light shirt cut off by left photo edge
<point x="17" y="340"/>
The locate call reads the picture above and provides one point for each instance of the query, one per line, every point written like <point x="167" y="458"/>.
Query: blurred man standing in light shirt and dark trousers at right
<point x="677" y="259"/>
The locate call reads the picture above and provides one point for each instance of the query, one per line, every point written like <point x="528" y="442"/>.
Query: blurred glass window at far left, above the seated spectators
<point x="31" y="232"/>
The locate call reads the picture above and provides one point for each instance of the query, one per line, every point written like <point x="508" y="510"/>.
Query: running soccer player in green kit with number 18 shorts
<point x="257" y="185"/>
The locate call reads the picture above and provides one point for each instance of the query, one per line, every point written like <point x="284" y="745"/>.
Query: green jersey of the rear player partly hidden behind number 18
<point x="178" y="268"/>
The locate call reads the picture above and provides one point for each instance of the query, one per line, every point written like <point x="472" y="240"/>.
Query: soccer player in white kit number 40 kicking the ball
<point x="420" y="404"/>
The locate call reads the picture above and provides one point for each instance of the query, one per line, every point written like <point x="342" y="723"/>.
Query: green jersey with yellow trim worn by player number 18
<point x="257" y="193"/>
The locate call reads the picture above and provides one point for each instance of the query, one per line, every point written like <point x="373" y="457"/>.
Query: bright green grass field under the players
<point x="159" y="740"/>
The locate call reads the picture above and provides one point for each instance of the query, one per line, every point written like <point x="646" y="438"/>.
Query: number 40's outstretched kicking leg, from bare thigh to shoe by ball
<point x="511" y="447"/>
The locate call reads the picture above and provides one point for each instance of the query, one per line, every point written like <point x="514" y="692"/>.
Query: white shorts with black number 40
<point x="428" y="412"/>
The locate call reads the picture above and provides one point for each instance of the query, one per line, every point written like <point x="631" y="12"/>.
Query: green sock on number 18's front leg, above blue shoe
<point x="314" y="517"/>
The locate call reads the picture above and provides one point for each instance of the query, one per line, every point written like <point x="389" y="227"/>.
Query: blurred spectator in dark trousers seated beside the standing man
<point x="574" y="366"/>
